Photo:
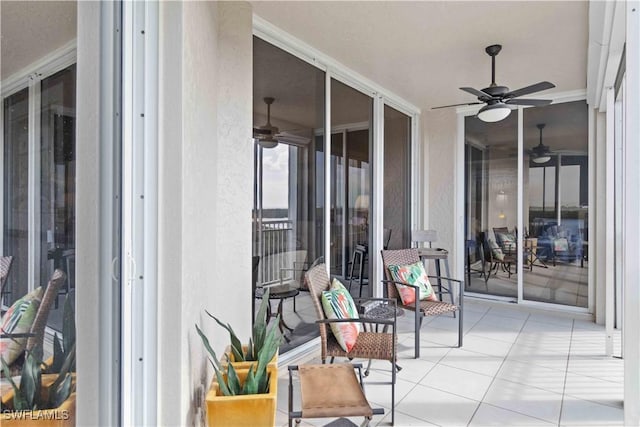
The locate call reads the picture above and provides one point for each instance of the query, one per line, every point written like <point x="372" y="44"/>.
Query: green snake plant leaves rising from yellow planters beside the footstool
<point x="263" y="346"/>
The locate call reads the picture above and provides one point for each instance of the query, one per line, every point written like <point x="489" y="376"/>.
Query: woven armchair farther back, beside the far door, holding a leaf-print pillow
<point x="420" y="308"/>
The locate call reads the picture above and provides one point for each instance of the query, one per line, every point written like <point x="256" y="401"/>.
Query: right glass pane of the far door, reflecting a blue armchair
<point x="556" y="204"/>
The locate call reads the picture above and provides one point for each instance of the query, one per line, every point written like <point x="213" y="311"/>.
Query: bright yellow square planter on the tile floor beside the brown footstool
<point x="252" y="410"/>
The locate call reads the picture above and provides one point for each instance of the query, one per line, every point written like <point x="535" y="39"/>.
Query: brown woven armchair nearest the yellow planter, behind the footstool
<point x="370" y="343"/>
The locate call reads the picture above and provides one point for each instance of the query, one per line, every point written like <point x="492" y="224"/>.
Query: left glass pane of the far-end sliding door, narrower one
<point x="491" y="195"/>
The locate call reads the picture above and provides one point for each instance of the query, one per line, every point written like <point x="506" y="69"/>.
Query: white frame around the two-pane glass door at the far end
<point x="460" y="215"/>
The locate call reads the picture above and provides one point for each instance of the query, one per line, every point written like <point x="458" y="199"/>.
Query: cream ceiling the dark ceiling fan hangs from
<point x="424" y="51"/>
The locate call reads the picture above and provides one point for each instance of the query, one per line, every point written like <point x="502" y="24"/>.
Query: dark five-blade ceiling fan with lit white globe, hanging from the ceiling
<point x="498" y="99"/>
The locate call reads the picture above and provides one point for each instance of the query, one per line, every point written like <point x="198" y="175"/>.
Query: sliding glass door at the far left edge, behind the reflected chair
<point x="39" y="199"/>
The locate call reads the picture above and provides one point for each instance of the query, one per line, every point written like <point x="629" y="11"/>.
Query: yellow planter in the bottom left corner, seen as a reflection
<point x="62" y="416"/>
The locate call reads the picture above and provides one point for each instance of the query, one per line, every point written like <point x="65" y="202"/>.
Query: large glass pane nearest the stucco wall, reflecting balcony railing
<point x="288" y="233"/>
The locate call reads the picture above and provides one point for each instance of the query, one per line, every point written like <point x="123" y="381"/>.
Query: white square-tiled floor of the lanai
<point x="518" y="367"/>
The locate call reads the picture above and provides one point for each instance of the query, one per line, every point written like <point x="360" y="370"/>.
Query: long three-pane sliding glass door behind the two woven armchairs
<point x="315" y="165"/>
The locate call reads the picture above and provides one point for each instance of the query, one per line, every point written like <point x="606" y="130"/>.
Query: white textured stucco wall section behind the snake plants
<point x="205" y="194"/>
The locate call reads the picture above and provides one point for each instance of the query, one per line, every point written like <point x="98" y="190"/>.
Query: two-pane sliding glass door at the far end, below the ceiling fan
<point x="536" y="251"/>
